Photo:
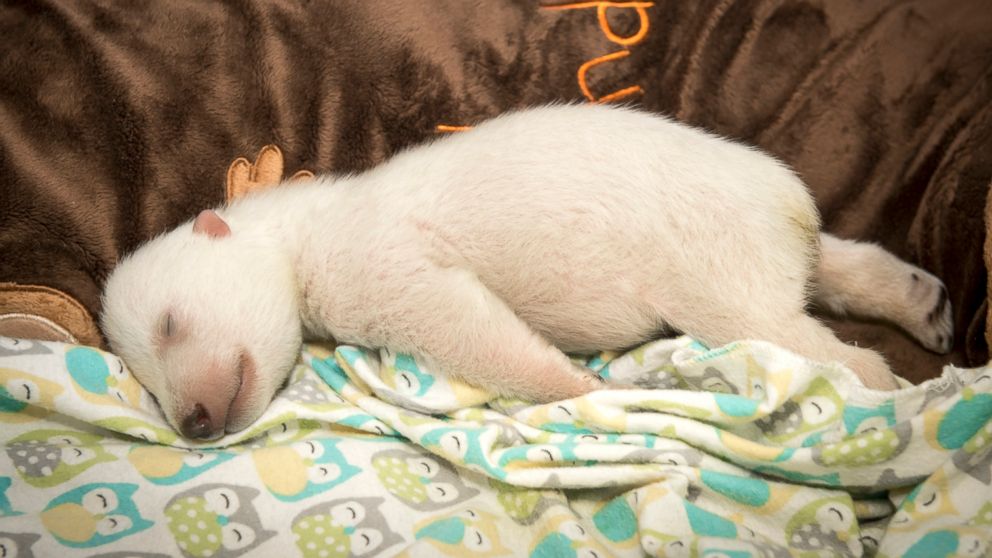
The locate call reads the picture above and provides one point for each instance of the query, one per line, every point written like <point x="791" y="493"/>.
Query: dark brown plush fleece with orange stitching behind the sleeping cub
<point x="119" y="120"/>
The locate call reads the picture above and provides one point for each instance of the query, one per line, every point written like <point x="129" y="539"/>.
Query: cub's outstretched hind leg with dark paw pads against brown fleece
<point x="866" y="280"/>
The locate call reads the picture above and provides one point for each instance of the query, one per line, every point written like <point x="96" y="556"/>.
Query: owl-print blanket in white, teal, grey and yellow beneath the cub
<point x="743" y="450"/>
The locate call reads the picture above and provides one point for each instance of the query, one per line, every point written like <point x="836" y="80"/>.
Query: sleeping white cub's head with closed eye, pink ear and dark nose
<point x="207" y="319"/>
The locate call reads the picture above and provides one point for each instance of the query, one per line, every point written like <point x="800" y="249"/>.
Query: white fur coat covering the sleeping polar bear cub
<point x="577" y="227"/>
